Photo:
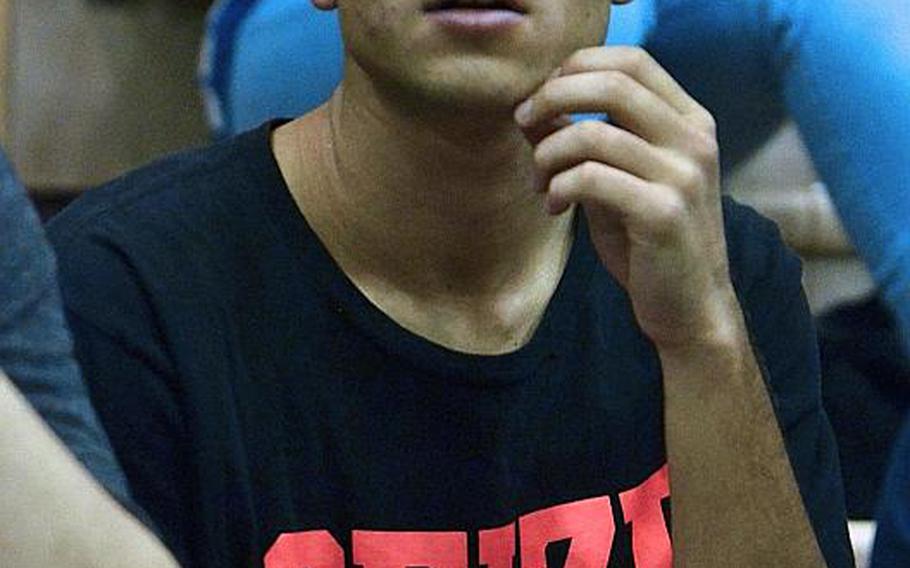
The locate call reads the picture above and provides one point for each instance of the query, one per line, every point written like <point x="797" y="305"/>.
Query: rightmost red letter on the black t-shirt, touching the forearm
<point x="641" y="507"/>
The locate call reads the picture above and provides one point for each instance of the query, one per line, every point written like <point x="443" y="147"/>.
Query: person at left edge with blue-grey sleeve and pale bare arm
<point x="65" y="499"/>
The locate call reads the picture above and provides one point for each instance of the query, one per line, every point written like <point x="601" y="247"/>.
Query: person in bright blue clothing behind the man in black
<point x="839" y="68"/>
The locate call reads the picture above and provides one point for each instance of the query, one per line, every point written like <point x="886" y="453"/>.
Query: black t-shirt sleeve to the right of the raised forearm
<point x="767" y="277"/>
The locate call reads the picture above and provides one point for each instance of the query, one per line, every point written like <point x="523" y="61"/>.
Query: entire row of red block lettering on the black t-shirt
<point x="587" y="524"/>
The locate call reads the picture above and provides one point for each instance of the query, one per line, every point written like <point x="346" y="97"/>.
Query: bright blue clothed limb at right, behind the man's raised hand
<point x="841" y="70"/>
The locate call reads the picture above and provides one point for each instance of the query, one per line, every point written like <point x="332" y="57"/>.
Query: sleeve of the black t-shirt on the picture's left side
<point x="128" y="373"/>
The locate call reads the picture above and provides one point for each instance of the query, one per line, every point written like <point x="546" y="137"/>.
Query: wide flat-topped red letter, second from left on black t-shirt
<point x="374" y="549"/>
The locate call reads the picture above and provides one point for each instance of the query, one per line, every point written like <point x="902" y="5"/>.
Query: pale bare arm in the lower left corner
<point x="53" y="513"/>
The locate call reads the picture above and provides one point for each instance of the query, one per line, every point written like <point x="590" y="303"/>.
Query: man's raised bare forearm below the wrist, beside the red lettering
<point x="735" y="497"/>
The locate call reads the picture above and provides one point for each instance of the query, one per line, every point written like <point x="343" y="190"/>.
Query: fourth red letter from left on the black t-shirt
<point x="588" y="523"/>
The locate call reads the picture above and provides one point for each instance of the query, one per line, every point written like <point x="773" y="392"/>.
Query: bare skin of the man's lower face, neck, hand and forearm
<point x="442" y="176"/>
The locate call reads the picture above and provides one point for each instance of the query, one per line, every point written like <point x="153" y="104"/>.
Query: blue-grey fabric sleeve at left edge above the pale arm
<point x="35" y="346"/>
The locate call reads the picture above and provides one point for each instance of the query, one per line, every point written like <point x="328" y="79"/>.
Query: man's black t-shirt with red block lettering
<point x="265" y="411"/>
